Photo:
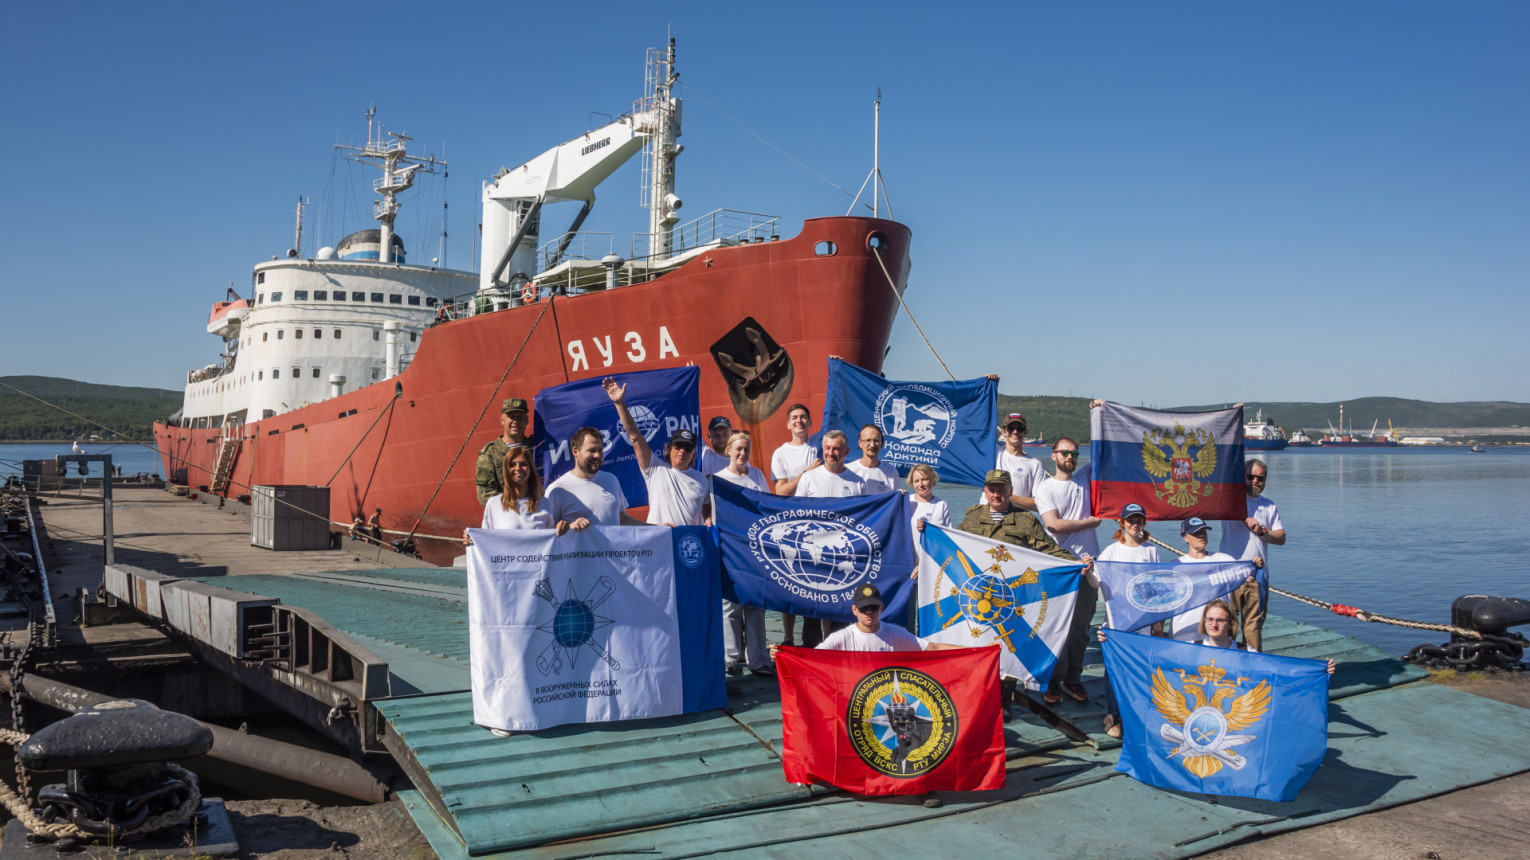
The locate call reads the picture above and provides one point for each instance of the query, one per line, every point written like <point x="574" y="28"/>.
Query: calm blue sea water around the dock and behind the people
<point x="1395" y="532"/>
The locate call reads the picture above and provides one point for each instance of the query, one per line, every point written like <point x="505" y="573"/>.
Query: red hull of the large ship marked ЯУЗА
<point x="415" y="454"/>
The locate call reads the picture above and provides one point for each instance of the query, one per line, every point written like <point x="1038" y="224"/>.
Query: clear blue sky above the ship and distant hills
<point x="1151" y="203"/>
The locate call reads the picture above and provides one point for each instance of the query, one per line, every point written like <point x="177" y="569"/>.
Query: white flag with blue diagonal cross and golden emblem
<point x="975" y="591"/>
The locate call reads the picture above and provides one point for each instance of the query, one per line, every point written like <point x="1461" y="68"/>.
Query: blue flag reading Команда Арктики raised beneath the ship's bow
<point x="948" y="426"/>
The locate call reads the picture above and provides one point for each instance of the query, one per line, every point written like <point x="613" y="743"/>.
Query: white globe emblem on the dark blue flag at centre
<point x="816" y="555"/>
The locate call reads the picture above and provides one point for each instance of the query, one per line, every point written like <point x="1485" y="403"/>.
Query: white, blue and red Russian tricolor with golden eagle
<point x="1174" y="464"/>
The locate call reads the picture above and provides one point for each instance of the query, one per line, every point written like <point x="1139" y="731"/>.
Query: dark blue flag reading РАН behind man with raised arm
<point x="660" y="402"/>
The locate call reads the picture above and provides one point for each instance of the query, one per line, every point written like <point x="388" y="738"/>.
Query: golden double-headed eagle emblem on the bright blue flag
<point x="1202" y="732"/>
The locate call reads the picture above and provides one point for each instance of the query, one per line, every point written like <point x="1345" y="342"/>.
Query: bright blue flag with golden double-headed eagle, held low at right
<point x="1217" y="722"/>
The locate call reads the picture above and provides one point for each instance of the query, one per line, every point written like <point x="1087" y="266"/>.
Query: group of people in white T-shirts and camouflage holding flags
<point x="1021" y="504"/>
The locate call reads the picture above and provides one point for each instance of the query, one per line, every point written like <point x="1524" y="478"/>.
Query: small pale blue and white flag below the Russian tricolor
<point x="1139" y="595"/>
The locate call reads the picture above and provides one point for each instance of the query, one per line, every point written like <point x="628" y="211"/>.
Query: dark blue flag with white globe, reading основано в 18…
<point x="807" y="556"/>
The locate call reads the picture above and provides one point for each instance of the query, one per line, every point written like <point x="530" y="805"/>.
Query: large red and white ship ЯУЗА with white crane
<point x="382" y="379"/>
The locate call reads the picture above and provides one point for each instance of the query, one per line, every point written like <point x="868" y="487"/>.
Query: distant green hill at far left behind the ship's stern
<point x="125" y="409"/>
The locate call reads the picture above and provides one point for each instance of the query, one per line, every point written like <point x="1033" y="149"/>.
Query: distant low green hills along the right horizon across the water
<point x="1070" y="417"/>
